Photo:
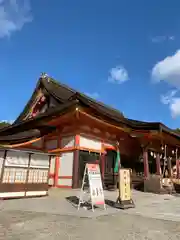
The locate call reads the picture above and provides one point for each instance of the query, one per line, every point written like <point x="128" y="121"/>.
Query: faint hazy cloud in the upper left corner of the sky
<point x="14" y="14"/>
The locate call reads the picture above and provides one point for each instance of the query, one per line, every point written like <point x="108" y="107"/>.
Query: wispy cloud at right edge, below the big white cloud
<point x="173" y="103"/>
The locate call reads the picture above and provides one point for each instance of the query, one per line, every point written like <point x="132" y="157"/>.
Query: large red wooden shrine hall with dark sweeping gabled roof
<point x="76" y="130"/>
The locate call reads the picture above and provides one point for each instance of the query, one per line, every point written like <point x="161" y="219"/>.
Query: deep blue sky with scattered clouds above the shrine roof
<point x="124" y="53"/>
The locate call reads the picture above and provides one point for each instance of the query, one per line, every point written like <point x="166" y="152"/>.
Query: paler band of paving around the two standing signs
<point x="164" y="207"/>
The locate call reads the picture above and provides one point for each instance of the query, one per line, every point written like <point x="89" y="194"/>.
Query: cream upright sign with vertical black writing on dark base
<point x="124" y="200"/>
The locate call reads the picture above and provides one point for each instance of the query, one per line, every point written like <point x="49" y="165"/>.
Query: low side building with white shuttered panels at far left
<point x="23" y="173"/>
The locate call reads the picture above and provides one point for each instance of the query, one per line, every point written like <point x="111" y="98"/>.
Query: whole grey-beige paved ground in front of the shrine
<point x="44" y="218"/>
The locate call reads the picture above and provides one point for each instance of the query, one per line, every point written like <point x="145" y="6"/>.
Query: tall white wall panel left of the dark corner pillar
<point x="66" y="164"/>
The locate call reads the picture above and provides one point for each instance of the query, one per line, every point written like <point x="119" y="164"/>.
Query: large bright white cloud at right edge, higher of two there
<point x="168" y="70"/>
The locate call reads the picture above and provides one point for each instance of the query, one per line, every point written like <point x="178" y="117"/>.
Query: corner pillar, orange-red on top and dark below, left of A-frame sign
<point x="75" y="176"/>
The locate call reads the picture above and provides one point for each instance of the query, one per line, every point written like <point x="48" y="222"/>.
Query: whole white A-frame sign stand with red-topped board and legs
<point x="93" y="175"/>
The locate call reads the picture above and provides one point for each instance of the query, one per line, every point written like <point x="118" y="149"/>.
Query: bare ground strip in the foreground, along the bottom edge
<point x="19" y="225"/>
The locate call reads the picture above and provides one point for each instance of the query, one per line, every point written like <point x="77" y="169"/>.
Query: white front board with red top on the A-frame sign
<point x="95" y="183"/>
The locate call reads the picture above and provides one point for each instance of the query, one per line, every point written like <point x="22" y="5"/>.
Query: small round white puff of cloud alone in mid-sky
<point x="118" y="75"/>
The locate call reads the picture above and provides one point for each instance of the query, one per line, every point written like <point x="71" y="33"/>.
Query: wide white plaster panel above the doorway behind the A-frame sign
<point x="87" y="142"/>
